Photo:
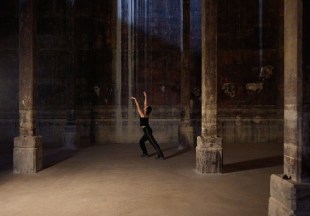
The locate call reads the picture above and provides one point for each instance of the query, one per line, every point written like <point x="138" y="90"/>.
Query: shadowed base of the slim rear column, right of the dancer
<point x="186" y="137"/>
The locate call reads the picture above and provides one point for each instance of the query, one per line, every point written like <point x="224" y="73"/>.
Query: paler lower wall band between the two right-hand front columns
<point x="251" y="126"/>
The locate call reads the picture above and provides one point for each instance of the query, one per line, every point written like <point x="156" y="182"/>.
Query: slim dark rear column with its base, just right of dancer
<point x="186" y="131"/>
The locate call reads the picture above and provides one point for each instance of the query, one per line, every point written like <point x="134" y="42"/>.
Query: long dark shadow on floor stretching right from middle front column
<point x="253" y="164"/>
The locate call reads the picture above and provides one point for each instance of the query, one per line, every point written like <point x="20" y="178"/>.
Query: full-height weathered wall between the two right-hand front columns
<point x="250" y="71"/>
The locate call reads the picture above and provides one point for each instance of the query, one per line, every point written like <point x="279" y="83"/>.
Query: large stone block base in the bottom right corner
<point x="288" y="198"/>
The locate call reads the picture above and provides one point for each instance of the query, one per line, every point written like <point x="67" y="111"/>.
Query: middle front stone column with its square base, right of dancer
<point x="209" y="145"/>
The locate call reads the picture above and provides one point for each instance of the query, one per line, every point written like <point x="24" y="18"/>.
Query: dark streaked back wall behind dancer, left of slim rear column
<point x="77" y="48"/>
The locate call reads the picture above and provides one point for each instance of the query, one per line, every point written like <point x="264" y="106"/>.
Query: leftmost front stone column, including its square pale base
<point x="27" y="154"/>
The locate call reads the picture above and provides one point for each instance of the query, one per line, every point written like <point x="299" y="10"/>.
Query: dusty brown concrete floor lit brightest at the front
<point x="112" y="180"/>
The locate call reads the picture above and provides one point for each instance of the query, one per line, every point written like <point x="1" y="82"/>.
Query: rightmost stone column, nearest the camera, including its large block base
<point x="290" y="191"/>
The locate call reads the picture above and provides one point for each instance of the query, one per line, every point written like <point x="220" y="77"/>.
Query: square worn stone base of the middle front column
<point x="209" y="156"/>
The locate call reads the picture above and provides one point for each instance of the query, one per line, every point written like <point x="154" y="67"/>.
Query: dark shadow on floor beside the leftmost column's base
<point x="55" y="156"/>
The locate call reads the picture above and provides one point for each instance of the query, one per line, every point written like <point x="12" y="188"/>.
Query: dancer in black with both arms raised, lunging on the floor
<point x="147" y="130"/>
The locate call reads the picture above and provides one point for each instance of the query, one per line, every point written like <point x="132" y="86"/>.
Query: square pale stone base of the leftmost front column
<point x="27" y="154"/>
